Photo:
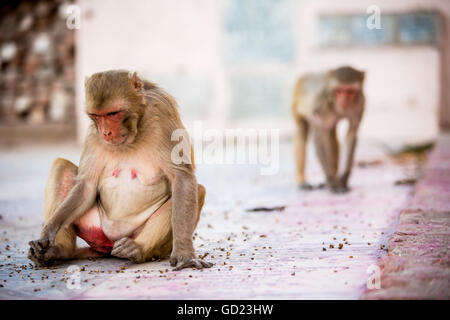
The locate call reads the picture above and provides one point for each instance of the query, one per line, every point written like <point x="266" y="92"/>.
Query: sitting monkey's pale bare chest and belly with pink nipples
<point x="128" y="197"/>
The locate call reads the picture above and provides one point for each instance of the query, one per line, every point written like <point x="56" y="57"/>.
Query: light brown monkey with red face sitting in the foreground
<point x="127" y="198"/>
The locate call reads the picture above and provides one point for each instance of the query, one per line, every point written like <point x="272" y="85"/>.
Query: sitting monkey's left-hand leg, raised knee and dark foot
<point x="61" y="180"/>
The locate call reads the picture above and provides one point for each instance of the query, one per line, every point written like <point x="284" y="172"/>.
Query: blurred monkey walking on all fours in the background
<point x="320" y="100"/>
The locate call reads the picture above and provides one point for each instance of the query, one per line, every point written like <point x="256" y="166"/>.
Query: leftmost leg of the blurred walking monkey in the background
<point x="301" y="139"/>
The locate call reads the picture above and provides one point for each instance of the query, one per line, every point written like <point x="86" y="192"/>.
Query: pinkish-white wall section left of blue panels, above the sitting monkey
<point x="154" y="38"/>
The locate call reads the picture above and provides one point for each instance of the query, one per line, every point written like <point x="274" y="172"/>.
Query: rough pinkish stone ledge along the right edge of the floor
<point x="417" y="265"/>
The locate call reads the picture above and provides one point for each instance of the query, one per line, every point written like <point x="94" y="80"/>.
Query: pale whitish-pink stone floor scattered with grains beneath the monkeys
<point x="321" y="246"/>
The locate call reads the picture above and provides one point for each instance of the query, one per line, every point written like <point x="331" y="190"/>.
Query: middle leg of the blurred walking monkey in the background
<point x="327" y="149"/>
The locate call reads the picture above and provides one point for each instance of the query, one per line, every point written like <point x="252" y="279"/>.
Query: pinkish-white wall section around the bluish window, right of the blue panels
<point x="402" y="83"/>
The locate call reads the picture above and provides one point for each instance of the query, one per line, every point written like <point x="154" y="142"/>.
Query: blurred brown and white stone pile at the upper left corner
<point x="37" y="51"/>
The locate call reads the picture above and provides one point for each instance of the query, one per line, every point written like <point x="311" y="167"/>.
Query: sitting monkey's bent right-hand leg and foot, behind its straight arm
<point x="155" y="239"/>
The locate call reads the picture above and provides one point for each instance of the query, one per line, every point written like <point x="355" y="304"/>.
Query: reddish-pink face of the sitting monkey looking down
<point x="110" y="125"/>
